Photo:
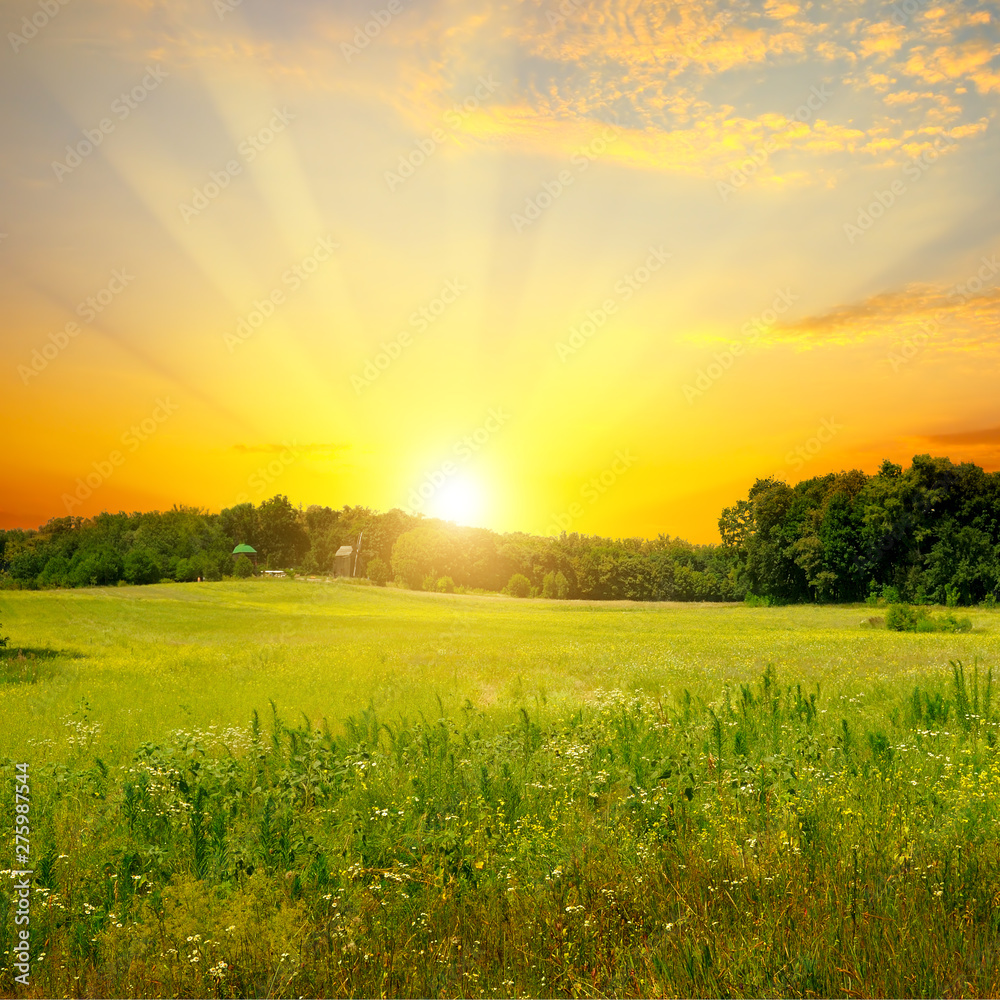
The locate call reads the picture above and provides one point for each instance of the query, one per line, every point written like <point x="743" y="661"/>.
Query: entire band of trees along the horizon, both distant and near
<point x="927" y="534"/>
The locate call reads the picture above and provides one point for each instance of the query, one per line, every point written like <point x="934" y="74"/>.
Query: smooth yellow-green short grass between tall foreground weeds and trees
<point x="154" y="658"/>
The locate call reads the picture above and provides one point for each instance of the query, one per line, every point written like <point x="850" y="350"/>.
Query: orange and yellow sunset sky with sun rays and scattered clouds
<point x="594" y="265"/>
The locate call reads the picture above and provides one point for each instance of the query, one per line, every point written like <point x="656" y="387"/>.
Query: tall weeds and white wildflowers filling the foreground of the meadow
<point x="761" y="844"/>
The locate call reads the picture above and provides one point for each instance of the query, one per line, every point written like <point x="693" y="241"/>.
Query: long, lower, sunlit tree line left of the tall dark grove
<point x="186" y="544"/>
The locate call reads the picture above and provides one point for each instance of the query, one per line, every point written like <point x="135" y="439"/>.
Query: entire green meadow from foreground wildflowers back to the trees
<point x="485" y="796"/>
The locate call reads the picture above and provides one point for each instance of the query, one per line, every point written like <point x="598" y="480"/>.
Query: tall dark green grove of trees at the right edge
<point x="929" y="534"/>
